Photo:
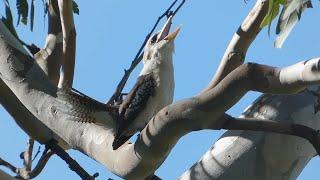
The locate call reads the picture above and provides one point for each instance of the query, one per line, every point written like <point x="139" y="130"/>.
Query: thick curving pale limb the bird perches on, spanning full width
<point x="135" y="161"/>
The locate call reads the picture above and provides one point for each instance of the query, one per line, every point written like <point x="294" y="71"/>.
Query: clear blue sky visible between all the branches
<point x="109" y="34"/>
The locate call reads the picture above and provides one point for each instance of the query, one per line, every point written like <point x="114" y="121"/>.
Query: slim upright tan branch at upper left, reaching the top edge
<point x="69" y="43"/>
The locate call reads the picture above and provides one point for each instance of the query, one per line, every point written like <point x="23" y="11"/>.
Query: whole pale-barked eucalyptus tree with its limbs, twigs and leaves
<point x="36" y="89"/>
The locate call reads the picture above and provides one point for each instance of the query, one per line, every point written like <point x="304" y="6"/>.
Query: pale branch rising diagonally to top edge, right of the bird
<point x="236" y="51"/>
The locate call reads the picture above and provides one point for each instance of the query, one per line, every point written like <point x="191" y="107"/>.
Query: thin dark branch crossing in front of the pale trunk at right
<point x="313" y="136"/>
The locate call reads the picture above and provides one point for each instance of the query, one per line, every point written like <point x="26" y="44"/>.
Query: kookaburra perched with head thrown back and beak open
<point x="154" y="87"/>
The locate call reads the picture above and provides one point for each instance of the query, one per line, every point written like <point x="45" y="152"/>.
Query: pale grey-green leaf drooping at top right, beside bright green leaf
<point x="288" y="18"/>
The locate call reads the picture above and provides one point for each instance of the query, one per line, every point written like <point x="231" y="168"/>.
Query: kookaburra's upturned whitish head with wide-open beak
<point x="161" y="44"/>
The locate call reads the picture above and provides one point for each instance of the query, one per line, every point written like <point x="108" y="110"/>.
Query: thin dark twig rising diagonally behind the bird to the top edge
<point x="139" y="55"/>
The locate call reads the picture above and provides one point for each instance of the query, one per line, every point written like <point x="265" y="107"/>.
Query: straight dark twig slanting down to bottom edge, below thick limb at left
<point x="73" y="165"/>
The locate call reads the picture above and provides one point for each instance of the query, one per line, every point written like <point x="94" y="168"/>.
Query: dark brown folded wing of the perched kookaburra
<point x="133" y="104"/>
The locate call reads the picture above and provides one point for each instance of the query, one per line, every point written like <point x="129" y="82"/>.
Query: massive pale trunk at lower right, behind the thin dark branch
<point x="259" y="155"/>
